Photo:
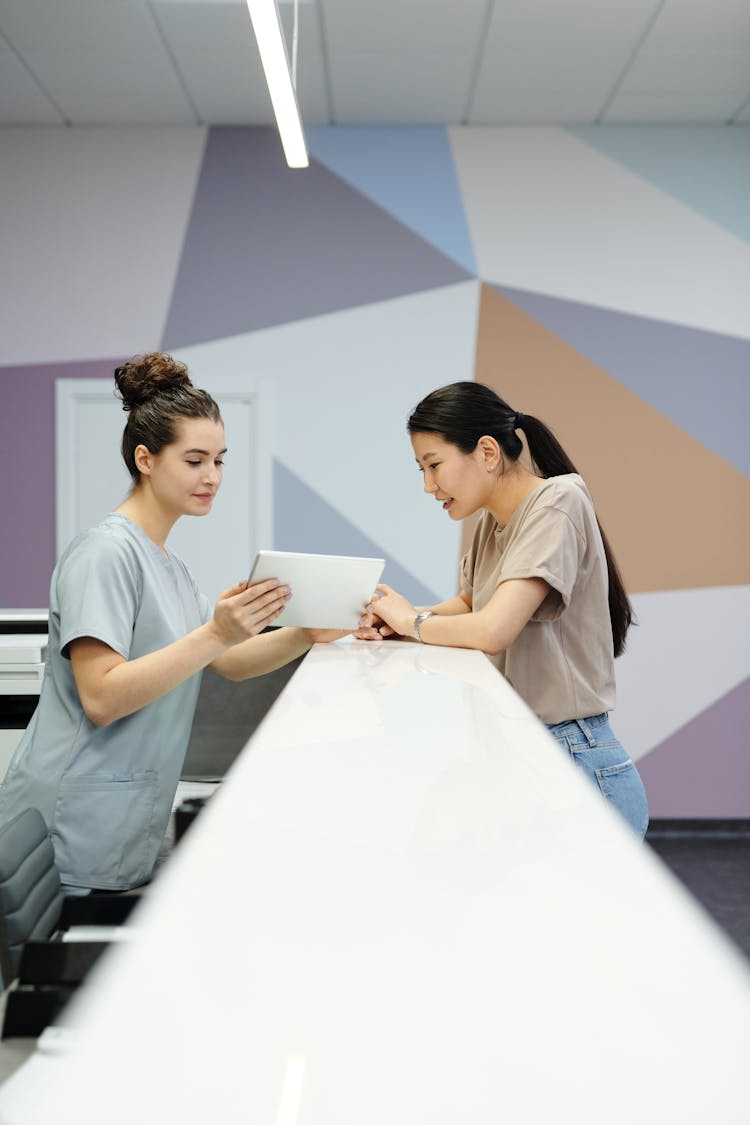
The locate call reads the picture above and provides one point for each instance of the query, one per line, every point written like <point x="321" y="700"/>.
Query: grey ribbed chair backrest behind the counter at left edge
<point x="31" y="895"/>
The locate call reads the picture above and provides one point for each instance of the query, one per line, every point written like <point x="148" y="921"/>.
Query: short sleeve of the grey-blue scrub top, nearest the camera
<point x="98" y="595"/>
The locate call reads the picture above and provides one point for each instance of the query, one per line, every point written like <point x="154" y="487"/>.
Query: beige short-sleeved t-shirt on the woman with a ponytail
<point x="563" y="662"/>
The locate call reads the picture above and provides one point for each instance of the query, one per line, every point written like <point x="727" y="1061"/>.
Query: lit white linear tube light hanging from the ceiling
<point x="267" y="25"/>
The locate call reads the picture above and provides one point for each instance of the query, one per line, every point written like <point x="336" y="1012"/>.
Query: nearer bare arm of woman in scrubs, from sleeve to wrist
<point x="126" y="687"/>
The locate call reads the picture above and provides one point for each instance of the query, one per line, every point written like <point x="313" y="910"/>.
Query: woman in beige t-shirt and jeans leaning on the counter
<point x="540" y="589"/>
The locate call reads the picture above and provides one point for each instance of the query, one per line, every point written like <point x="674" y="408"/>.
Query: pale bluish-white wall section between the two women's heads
<point x="345" y="386"/>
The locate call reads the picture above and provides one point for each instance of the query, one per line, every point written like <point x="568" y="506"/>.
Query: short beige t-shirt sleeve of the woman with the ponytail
<point x="549" y="546"/>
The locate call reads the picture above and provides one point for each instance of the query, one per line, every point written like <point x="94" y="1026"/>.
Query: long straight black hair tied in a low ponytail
<point x="464" y="412"/>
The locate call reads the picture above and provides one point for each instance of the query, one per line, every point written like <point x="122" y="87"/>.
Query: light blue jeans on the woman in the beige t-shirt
<point x="593" y="746"/>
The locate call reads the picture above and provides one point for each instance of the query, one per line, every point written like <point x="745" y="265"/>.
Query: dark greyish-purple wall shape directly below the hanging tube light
<point x="267" y="245"/>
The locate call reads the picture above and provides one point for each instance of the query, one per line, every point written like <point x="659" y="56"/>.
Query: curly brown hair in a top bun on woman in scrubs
<point x="157" y="392"/>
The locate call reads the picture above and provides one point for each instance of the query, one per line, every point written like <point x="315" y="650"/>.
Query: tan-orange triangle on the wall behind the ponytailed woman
<point x="676" y="515"/>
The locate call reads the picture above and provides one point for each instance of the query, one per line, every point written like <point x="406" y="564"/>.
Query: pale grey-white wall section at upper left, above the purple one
<point x="92" y="228"/>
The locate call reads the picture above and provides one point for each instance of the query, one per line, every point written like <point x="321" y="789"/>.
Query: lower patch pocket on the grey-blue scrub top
<point x="102" y="831"/>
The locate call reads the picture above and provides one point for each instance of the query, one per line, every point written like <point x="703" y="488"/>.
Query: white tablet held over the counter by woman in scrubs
<point x="329" y="591"/>
